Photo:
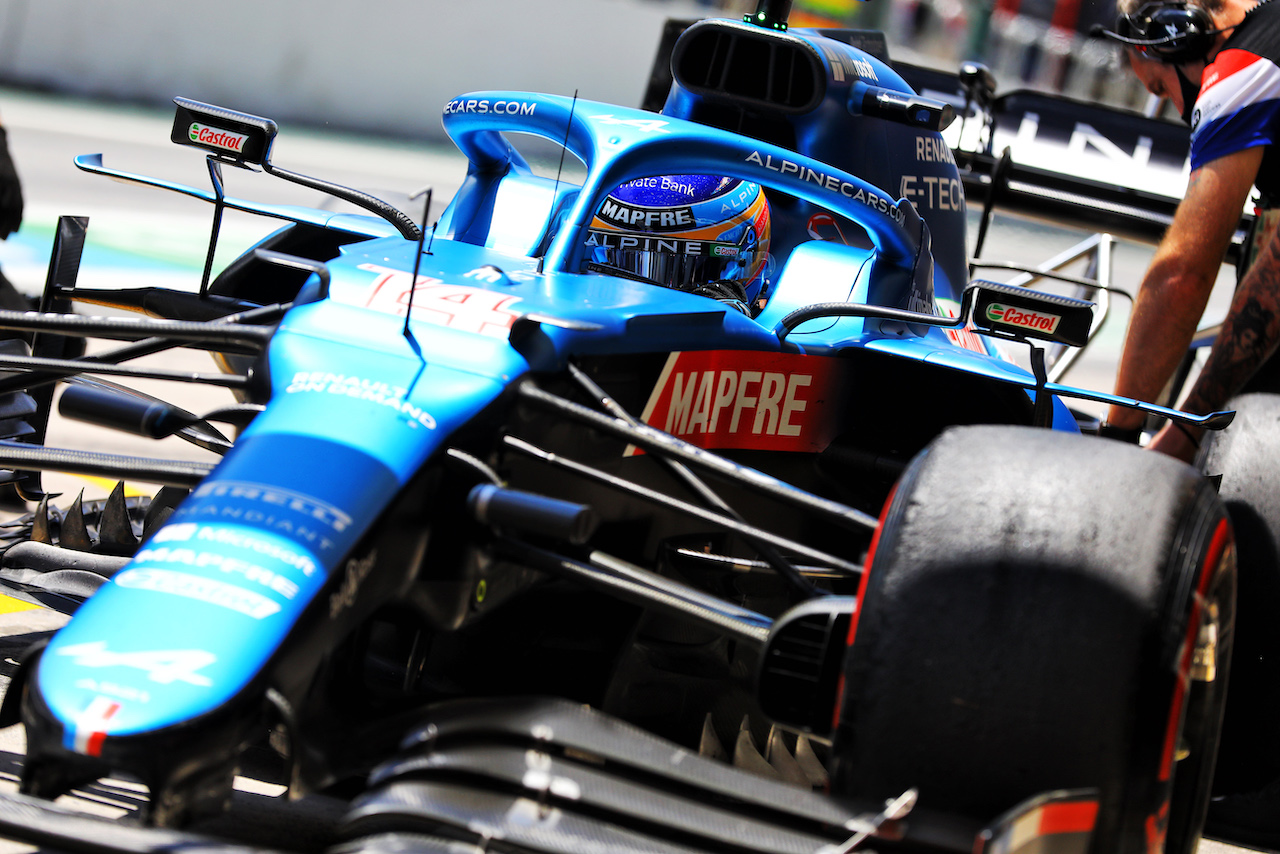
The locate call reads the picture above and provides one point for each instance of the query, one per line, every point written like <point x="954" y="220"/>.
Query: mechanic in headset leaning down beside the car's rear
<point x="1218" y="62"/>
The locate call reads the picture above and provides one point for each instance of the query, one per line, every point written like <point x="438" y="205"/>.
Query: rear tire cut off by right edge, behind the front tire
<point x="1247" y="456"/>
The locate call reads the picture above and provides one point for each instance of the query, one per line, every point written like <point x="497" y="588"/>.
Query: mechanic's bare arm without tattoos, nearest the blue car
<point x="1181" y="278"/>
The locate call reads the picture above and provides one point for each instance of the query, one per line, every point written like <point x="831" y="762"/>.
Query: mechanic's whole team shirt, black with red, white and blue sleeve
<point x="1240" y="98"/>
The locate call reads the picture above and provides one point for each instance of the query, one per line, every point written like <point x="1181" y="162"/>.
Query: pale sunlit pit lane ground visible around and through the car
<point x="140" y="236"/>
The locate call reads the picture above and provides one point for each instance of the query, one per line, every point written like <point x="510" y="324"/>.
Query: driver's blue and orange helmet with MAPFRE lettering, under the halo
<point x="700" y="234"/>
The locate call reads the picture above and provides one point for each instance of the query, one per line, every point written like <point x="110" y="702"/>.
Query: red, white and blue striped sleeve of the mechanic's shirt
<point x="1238" y="107"/>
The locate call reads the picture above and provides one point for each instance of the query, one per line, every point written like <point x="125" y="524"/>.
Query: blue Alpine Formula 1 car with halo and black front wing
<point x="689" y="505"/>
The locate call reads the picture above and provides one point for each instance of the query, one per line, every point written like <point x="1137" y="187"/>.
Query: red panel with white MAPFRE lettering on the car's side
<point x="733" y="399"/>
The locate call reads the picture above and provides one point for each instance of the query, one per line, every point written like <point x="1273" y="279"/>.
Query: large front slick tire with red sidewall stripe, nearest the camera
<point x="1044" y="613"/>
